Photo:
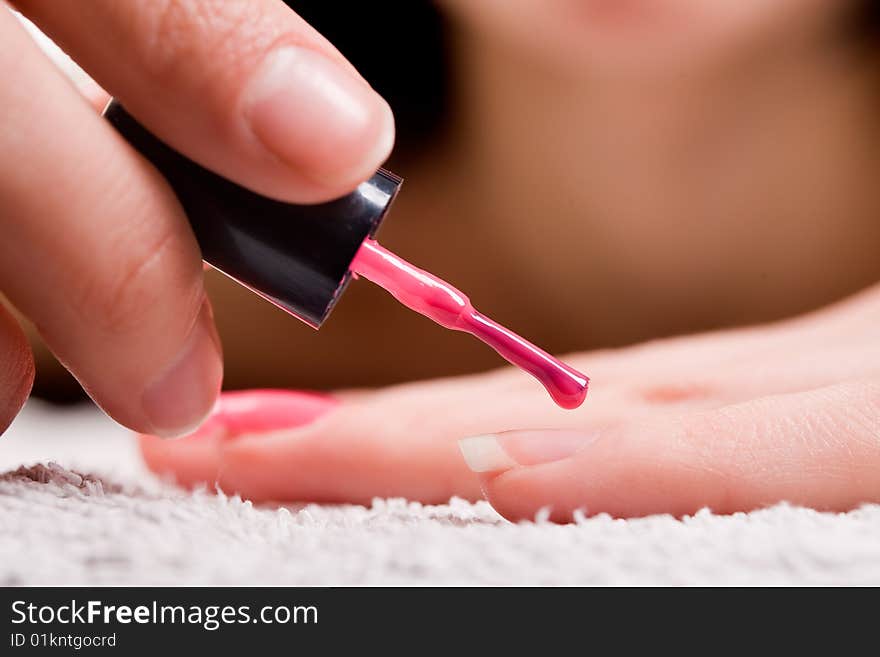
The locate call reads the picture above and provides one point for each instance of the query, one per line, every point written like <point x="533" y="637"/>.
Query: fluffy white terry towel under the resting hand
<point x="60" y="525"/>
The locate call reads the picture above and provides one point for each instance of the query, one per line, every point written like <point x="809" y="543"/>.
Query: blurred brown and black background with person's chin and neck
<point x="593" y="173"/>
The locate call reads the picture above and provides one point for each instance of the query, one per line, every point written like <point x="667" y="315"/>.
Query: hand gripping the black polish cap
<point x="95" y="248"/>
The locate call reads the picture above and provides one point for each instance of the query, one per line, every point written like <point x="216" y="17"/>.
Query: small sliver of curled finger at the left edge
<point x="16" y="368"/>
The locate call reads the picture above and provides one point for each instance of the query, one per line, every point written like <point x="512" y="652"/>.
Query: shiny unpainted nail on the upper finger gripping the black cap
<point x="318" y="117"/>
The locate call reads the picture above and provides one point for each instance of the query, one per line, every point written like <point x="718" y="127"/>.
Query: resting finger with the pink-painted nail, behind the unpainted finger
<point x="400" y="441"/>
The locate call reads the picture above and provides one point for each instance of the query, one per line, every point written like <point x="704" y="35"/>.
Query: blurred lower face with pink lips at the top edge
<point x="620" y="36"/>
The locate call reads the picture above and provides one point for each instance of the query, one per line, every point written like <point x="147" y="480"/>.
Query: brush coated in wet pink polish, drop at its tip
<point x="439" y="301"/>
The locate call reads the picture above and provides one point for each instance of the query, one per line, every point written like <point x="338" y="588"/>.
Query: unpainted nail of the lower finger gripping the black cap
<point x="183" y="395"/>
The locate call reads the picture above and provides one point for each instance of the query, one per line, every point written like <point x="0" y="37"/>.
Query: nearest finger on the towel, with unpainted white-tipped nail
<point x="819" y="448"/>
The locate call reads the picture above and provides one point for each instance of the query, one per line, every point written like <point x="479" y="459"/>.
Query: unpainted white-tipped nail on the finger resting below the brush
<point x="511" y="449"/>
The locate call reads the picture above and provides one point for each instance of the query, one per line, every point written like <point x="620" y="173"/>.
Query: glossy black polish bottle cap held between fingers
<point x="296" y="256"/>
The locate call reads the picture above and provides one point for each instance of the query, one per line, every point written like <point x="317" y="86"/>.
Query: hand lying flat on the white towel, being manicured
<point x="732" y="421"/>
